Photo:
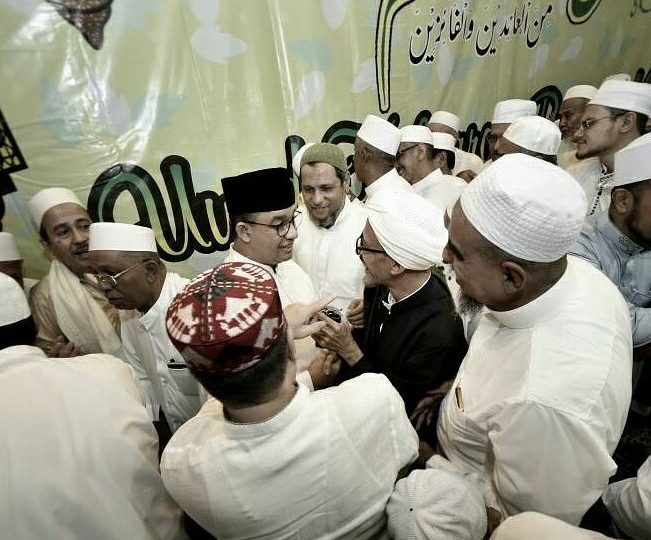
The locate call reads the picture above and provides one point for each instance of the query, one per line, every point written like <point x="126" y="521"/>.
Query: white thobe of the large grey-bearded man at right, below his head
<point x="541" y="398"/>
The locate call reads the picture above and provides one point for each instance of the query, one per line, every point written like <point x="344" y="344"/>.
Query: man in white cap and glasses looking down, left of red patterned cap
<point x="133" y="277"/>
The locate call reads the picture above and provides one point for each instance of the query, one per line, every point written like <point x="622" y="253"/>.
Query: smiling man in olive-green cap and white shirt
<point x="325" y="247"/>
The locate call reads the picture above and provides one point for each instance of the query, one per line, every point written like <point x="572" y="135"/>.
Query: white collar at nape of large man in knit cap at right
<point x="541" y="308"/>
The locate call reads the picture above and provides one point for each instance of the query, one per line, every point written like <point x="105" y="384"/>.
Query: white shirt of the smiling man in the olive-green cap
<point x="328" y="255"/>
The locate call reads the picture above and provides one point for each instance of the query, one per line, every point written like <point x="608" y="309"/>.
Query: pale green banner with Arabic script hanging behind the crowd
<point x="141" y="106"/>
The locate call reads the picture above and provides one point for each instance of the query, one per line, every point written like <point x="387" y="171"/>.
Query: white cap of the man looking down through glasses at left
<point x="120" y="237"/>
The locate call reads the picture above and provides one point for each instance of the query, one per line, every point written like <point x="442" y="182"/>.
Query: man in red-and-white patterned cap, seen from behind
<point x="270" y="459"/>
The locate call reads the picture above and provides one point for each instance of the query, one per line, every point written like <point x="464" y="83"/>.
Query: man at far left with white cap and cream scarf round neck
<point x="71" y="313"/>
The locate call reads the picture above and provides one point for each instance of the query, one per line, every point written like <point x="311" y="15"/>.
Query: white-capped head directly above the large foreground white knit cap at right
<point x="532" y="135"/>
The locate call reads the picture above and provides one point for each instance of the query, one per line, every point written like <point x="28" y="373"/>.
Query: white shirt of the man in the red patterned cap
<point x="323" y="467"/>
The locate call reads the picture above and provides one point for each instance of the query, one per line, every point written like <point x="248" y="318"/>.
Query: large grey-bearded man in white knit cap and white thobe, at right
<point x="541" y="398"/>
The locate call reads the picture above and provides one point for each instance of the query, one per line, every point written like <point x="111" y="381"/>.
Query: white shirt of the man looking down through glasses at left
<point x="149" y="350"/>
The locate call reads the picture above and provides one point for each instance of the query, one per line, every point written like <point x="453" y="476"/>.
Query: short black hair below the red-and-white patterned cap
<point x="254" y="385"/>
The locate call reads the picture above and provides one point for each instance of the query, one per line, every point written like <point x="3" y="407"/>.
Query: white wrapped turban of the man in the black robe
<point x="409" y="228"/>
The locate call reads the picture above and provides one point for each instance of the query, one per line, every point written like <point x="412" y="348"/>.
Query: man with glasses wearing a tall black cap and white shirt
<point x="264" y="221"/>
